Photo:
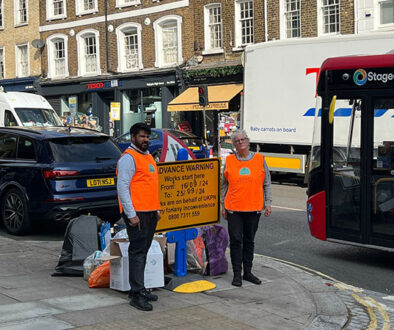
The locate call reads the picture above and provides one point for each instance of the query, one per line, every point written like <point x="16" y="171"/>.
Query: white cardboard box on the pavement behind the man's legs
<point x="119" y="266"/>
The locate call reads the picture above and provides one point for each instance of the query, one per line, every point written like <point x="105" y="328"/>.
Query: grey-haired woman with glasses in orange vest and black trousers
<point x="246" y="193"/>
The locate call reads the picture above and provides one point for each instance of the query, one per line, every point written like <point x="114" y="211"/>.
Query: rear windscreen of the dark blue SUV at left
<point x="83" y="149"/>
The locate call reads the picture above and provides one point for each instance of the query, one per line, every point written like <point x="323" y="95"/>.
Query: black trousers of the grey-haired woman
<point x="242" y="228"/>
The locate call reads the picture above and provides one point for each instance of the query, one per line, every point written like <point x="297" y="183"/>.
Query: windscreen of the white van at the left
<point x="38" y="117"/>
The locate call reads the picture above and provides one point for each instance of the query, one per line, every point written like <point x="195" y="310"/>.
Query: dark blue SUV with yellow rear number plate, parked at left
<point x="56" y="173"/>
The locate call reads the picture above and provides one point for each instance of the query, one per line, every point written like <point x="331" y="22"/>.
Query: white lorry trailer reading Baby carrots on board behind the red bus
<point x="280" y="92"/>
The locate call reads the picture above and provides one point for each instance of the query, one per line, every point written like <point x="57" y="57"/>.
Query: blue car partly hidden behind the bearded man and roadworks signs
<point x="193" y="142"/>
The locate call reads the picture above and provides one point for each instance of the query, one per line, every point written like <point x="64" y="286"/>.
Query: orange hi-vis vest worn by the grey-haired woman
<point x="245" y="183"/>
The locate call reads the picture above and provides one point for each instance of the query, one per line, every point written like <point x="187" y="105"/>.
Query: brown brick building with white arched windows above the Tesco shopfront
<point x="98" y="52"/>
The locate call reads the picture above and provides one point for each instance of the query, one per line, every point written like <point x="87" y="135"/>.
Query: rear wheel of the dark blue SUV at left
<point x="14" y="212"/>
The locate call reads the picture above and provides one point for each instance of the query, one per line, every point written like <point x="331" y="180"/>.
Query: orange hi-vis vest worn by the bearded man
<point x="144" y="185"/>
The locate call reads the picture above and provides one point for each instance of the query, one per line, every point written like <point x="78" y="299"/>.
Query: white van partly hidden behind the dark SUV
<point x="25" y="109"/>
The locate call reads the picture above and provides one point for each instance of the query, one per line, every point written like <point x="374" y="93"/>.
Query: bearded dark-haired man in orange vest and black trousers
<point x="138" y="193"/>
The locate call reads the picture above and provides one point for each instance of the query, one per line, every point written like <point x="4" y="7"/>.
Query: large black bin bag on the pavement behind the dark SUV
<point x="80" y="241"/>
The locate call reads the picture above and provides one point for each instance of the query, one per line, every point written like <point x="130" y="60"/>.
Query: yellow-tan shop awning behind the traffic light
<point x="219" y="97"/>
